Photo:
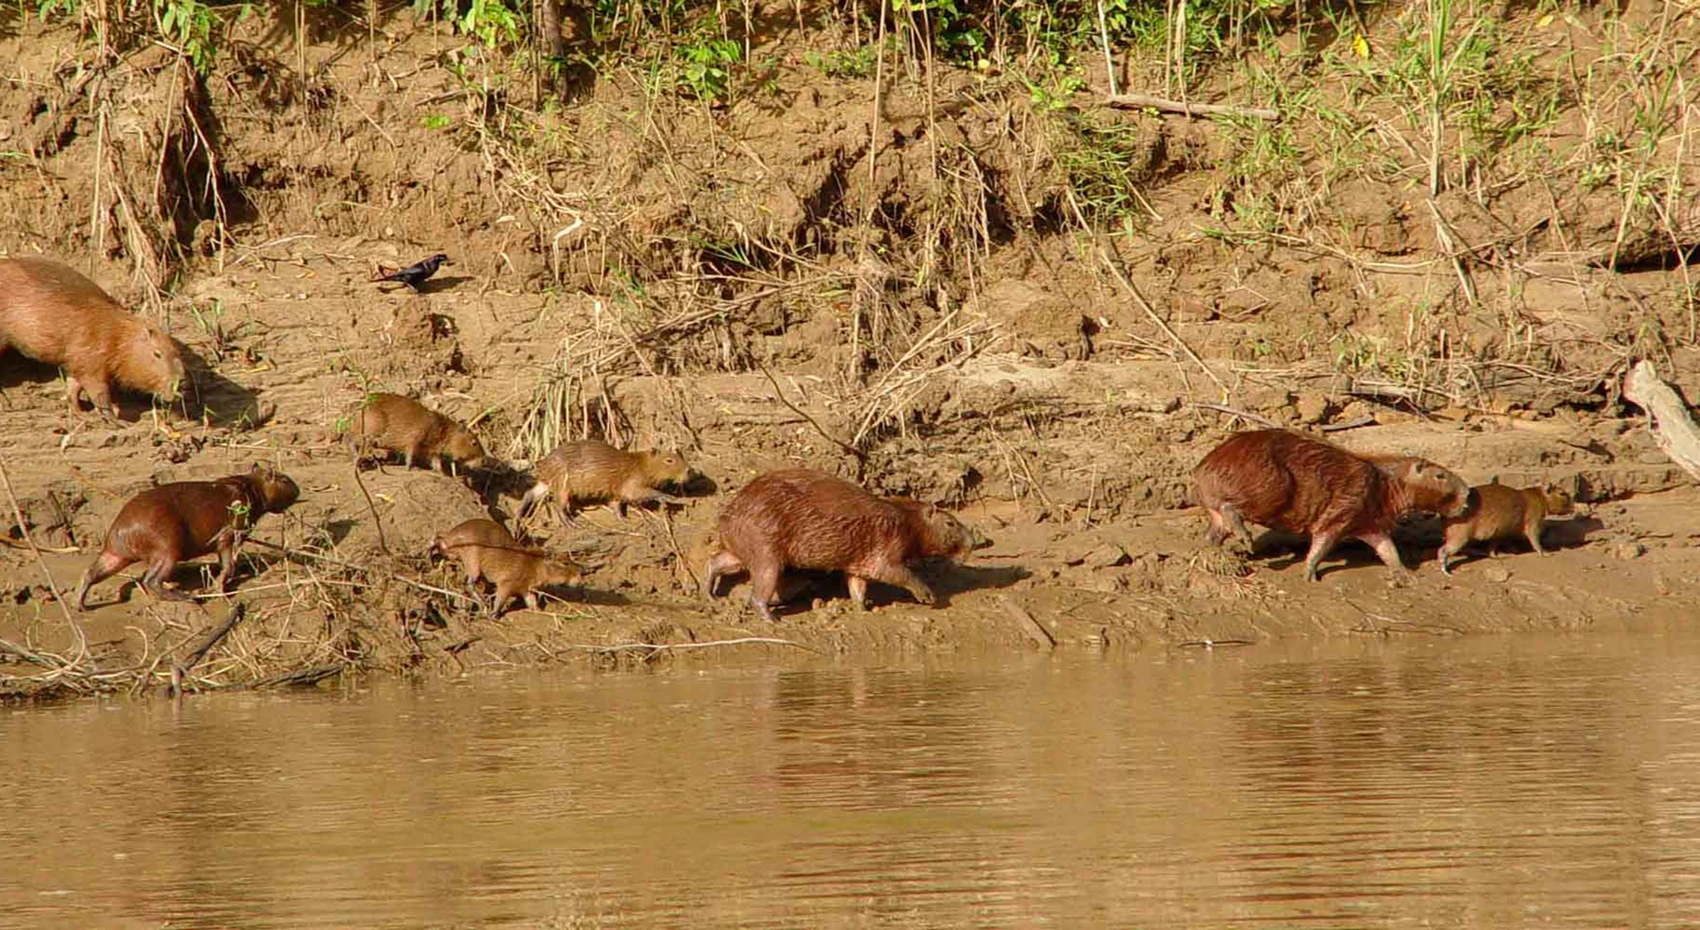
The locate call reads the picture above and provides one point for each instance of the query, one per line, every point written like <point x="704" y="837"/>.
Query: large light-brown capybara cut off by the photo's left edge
<point x="59" y="317"/>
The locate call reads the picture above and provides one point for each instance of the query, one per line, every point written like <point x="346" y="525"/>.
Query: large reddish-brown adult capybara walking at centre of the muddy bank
<point x="813" y="521"/>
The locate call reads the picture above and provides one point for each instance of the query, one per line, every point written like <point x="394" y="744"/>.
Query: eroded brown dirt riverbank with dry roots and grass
<point x="742" y="285"/>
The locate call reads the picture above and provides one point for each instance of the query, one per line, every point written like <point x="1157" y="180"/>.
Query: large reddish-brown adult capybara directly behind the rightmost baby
<point x="1298" y="484"/>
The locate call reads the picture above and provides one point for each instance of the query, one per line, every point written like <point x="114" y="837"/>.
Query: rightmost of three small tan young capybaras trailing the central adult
<point x="589" y="472"/>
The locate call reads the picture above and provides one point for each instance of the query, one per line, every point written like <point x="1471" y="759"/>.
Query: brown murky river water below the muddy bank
<point x="1533" y="781"/>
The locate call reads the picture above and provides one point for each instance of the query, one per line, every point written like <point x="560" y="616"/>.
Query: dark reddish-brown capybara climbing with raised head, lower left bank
<point x="188" y="519"/>
